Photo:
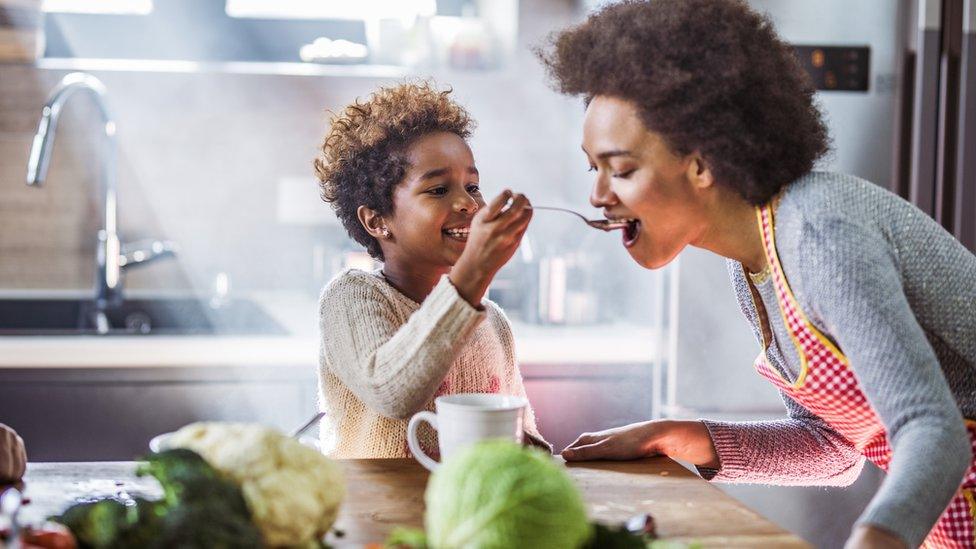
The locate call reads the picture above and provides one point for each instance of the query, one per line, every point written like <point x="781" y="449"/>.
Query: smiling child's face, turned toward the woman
<point x="434" y="204"/>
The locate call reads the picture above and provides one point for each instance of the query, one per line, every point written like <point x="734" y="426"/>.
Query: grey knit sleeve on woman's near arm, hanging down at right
<point x="854" y="291"/>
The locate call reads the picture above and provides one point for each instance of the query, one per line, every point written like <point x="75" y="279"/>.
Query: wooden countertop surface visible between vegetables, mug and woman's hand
<point x="383" y="493"/>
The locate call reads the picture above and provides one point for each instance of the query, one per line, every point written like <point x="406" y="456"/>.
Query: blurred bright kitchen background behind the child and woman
<point x="204" y="117"/>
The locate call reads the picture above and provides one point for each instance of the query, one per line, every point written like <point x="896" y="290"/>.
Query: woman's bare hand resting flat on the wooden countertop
<point x="685" y="440"/>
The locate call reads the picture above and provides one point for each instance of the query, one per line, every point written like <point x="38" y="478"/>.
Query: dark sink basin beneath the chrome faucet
<point x="143" y="316"/>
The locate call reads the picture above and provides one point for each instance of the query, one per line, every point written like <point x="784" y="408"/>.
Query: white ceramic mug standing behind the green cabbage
<point x="467" y="418"/>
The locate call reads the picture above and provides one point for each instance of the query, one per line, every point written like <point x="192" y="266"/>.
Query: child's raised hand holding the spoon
<point x="495" y="235"/>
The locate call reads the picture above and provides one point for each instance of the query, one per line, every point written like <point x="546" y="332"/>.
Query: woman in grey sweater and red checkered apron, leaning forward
<point x="701" y="128"/>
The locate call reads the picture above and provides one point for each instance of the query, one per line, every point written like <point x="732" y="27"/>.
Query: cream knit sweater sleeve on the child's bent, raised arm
<point x="393" y="367"/>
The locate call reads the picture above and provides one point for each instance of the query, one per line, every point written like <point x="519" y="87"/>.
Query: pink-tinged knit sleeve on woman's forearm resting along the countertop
<point x="802" y="450"/>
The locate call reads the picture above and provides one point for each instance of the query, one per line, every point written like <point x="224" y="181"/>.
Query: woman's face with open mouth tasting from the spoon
<point x="639" y="178"/>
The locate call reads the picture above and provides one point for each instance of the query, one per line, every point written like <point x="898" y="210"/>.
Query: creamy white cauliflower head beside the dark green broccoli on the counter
<point x="292" y="490"/>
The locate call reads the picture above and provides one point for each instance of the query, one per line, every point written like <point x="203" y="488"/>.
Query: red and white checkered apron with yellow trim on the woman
<point x="828" y="387"/>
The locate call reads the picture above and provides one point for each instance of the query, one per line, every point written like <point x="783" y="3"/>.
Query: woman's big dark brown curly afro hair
<point x="708" y="75"/>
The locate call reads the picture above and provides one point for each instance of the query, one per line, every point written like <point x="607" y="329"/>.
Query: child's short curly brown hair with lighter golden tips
<point x="363" y="156"/>
